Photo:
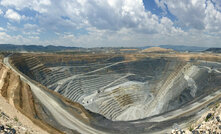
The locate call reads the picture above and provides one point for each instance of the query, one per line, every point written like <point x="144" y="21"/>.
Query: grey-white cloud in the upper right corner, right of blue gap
<point x="198" y="14"/>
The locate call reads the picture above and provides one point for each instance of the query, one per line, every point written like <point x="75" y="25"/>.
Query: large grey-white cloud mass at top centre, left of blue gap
<point x="112" y="15"/>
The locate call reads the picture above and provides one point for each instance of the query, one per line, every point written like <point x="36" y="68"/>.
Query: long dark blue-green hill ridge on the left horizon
<point x="34" y="48"/>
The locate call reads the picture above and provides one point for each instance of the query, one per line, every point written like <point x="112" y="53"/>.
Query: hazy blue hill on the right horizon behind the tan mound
<point x="184" y="48"/>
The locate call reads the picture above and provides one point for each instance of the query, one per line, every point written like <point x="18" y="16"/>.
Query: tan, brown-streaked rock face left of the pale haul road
<point x="19" y="95"/>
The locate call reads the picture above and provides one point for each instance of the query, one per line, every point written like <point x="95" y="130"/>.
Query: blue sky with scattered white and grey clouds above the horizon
<point x="111" y="23"/>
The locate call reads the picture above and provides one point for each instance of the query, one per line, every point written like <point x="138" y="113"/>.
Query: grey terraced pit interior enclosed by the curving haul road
<point x="122" y="89"/>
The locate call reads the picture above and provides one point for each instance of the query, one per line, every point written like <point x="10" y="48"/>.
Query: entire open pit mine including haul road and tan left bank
<point x="111" y="93"/>
